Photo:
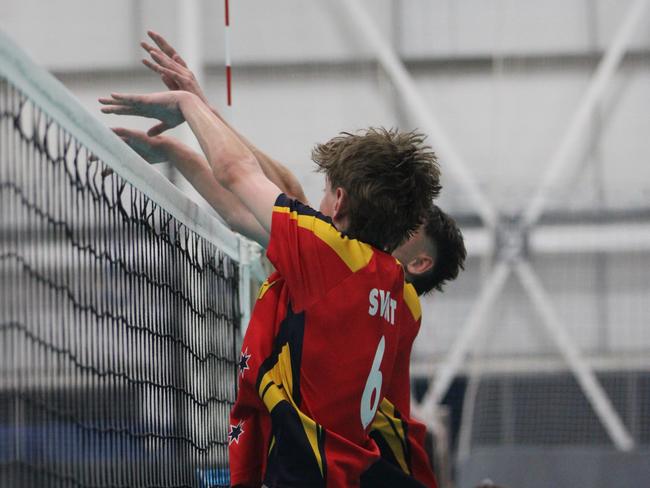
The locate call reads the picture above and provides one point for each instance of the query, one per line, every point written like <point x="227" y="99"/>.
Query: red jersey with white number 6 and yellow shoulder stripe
<point x="325" y="356"/>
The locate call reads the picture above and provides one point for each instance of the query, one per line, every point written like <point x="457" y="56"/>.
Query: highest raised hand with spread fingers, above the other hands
<point x="171" y="67"/>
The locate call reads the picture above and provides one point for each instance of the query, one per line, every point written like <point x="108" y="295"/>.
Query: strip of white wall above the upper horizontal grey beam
<point x="75" y="33"/>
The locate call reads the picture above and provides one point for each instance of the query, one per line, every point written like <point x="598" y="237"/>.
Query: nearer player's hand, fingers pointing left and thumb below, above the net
<point x="164" y="106"/>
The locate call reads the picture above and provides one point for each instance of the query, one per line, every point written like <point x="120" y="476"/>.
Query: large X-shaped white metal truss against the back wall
<point x="510" y="257"/>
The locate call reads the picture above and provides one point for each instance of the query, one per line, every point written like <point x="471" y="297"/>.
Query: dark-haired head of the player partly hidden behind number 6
<point x="435" y="254"/>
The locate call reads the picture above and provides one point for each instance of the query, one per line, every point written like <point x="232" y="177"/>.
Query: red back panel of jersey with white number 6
<point x="349" y="347"/>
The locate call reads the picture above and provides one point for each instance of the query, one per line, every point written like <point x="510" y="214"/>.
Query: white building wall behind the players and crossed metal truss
<point x="503" y="76"/>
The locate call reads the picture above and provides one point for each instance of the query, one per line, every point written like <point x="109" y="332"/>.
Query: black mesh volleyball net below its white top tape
<point x="118" y="325"/>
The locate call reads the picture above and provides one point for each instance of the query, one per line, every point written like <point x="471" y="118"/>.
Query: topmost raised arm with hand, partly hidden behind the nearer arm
<point x="177" y="76"/>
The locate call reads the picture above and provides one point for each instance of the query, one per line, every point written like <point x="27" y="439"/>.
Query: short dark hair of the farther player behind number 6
<point x="450" y="251"/>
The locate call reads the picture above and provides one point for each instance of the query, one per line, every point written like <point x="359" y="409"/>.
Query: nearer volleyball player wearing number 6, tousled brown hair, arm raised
<point x="343" y="302"/>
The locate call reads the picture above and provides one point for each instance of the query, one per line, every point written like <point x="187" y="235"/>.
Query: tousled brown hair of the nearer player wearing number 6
<point x="390" y="178"/>
